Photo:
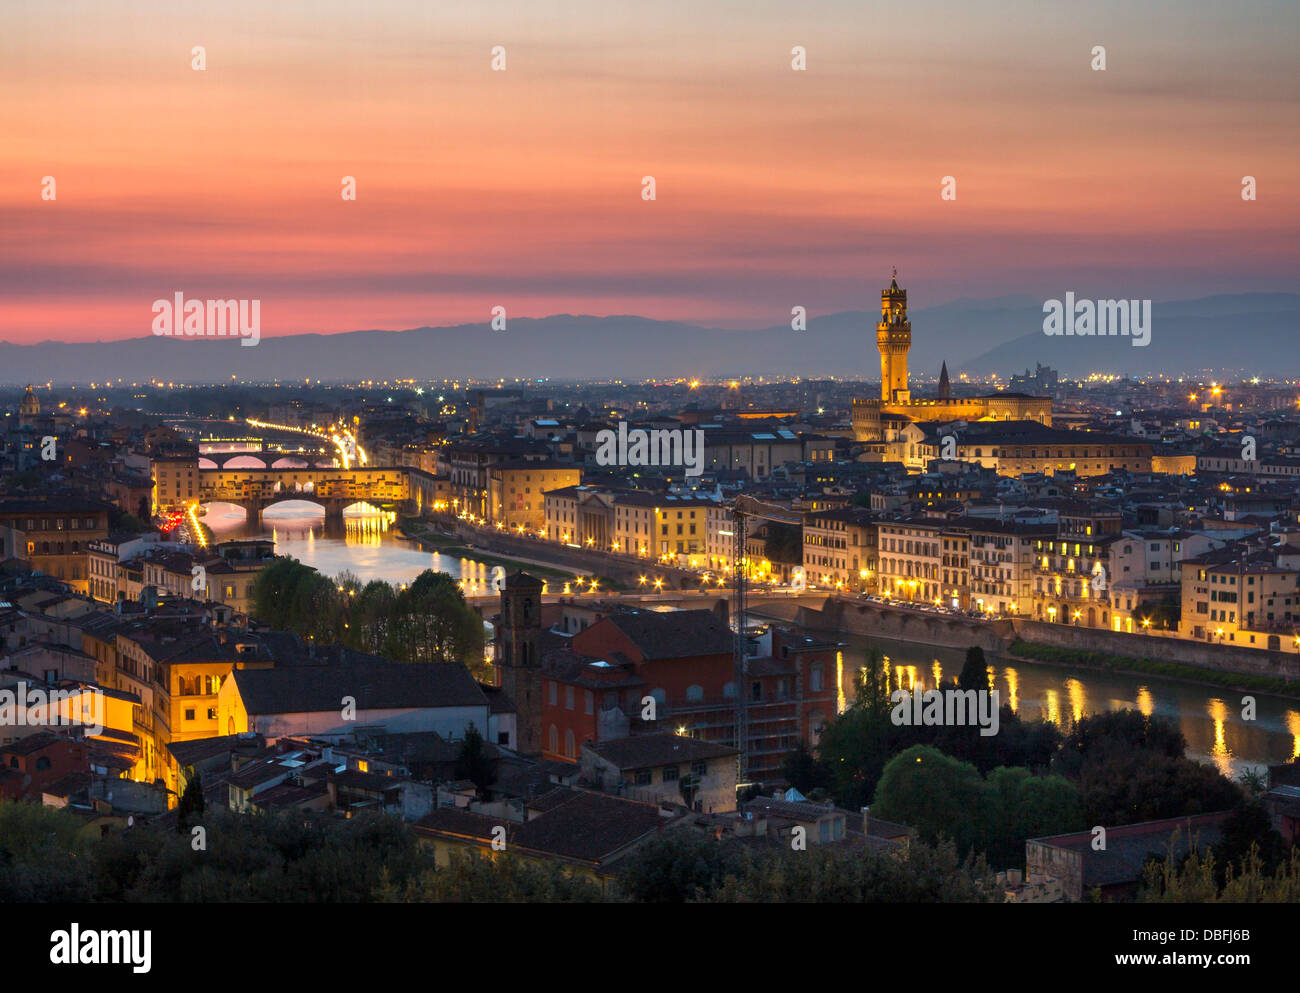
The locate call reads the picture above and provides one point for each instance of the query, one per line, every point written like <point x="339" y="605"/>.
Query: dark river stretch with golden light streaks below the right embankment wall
<point x="1211" y="719"/>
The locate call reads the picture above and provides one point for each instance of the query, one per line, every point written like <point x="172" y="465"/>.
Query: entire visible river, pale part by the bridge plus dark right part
<point x="1210" y="718"/>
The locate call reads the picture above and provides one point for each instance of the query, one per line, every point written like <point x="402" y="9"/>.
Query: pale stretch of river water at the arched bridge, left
<point x="363" y="544"/>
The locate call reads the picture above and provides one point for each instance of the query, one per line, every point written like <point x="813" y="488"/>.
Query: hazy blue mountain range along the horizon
<point x="1253" y="335"/>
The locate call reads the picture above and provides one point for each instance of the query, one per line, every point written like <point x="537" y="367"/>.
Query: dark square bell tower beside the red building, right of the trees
<point x="519" y="657"/>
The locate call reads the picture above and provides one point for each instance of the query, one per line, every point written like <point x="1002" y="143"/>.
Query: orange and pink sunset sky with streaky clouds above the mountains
<point x="523" y="189"/>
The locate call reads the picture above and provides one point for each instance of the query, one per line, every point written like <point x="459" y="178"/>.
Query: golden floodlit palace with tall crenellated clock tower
<point x="878" y="420"/>
